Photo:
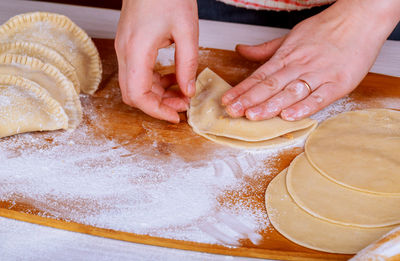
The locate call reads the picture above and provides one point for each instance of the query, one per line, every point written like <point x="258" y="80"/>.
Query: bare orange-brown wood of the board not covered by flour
<point x="118" y="122"/>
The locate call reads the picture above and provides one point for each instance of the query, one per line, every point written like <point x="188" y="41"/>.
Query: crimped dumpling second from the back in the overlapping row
<point x="44" y="54"/>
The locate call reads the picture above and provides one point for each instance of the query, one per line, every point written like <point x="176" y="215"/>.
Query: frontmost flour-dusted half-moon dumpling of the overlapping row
<point x="25" y="107"/>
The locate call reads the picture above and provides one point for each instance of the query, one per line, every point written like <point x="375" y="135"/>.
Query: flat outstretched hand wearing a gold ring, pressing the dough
<point x="321" y="60"/>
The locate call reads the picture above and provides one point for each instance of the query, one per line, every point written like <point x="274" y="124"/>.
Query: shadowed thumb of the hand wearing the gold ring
<point x="261" y="52"/>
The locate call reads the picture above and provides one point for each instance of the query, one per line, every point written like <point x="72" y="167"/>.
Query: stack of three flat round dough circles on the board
<point x="347" y="182"/>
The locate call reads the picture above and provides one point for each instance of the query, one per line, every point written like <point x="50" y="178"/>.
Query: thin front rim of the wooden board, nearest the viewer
<point x="164" y="242"/>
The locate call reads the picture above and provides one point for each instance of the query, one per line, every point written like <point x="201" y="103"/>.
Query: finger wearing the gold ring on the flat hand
<point x="293" y="92"/>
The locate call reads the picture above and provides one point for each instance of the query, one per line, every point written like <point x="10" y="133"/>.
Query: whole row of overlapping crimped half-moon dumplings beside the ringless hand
<point x="50" y="52"/>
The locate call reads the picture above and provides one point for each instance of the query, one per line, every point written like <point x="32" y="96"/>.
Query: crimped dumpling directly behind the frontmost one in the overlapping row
<point x="49" y="78"/>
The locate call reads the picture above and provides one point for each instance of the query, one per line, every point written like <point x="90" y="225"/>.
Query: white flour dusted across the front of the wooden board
<point x="96" y="181"/>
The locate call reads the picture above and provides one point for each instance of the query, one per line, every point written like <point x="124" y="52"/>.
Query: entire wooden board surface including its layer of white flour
<point x="127" y="176"/>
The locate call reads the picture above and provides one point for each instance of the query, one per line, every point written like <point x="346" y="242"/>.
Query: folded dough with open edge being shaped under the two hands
<point x="208" y="118"/>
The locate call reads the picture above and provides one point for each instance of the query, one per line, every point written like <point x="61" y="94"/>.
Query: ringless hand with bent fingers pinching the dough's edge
<point x="144" y="27"/>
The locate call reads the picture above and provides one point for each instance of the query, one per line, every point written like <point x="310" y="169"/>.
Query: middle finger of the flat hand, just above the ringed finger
<point x="262" y="91"/>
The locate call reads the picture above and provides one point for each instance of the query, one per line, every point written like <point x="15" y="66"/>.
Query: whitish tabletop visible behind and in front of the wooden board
<point x="25" y="241"/>
